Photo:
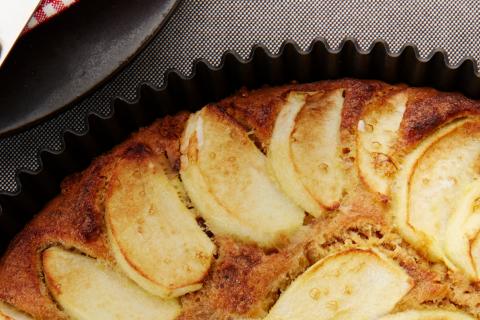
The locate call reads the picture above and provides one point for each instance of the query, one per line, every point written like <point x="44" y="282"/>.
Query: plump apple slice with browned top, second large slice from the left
<point x="154" y="237"/>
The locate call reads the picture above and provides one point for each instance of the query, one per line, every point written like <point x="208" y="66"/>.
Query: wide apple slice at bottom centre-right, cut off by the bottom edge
<point x="354" y="284"/>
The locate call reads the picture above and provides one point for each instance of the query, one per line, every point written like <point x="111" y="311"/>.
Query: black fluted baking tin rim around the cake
<point x="209" y="84"/>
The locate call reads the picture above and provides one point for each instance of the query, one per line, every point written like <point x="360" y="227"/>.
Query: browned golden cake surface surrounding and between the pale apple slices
<point x="245" y="280"/>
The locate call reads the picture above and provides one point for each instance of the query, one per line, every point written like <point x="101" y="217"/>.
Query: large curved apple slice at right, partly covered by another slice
<point x="431" y="182"/>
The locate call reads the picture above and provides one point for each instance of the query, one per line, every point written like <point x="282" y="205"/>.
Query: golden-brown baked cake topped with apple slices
<point x="345" y="199"/>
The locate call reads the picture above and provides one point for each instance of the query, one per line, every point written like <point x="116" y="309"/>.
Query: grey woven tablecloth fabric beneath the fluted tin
<point x="207" y="28"/>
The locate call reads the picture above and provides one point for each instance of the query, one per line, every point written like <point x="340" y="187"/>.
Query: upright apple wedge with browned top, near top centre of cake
<point x="304" y="150"/>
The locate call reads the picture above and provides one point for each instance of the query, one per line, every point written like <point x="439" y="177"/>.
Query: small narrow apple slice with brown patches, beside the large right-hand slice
<point x="376" y="137"/>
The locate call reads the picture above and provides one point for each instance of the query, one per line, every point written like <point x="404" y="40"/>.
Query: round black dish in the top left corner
<point x="56" y="63"/>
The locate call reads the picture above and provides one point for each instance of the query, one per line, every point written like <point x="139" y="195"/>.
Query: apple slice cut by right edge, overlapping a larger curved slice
<point x="462" y="232"/>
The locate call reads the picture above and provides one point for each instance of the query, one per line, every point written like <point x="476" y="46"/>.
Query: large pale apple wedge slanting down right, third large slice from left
<point x="227" y="178"/>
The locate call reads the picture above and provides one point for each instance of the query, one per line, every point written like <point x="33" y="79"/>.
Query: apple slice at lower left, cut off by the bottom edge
<point x="89" y="290"/>
